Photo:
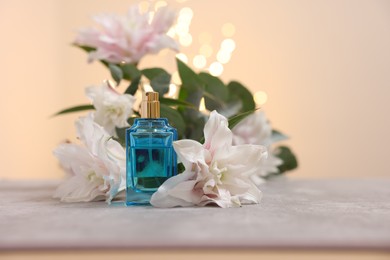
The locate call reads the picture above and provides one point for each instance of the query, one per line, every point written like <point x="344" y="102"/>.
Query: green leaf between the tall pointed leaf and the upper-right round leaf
<point x="216" y="93"/>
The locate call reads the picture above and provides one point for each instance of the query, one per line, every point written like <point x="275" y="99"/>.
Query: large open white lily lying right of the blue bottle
<point x="215" y="172"/>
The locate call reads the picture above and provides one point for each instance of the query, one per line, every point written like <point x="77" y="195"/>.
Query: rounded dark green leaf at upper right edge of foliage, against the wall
<point x="239" y="92"/>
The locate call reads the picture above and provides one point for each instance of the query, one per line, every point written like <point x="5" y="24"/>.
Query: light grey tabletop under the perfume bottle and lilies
<point x="293" y="214"/>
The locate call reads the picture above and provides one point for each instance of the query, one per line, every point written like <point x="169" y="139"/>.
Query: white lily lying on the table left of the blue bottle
<point x="96" y="171"/>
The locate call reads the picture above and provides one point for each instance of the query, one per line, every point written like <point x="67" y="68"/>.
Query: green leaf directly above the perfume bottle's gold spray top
<point x="159" y="79"/>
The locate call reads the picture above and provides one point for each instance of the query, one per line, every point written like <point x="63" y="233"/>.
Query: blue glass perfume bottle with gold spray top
<point x="150" y="157"/>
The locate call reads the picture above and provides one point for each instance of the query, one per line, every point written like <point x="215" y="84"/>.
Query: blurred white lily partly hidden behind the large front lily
<point x="256" y="129"/>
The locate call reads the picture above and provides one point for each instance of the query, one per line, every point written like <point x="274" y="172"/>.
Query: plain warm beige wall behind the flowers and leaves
<point x="324" y="65"/>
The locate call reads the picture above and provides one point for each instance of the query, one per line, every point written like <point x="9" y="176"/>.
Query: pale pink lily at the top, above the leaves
<point x="129" y="38"/>
